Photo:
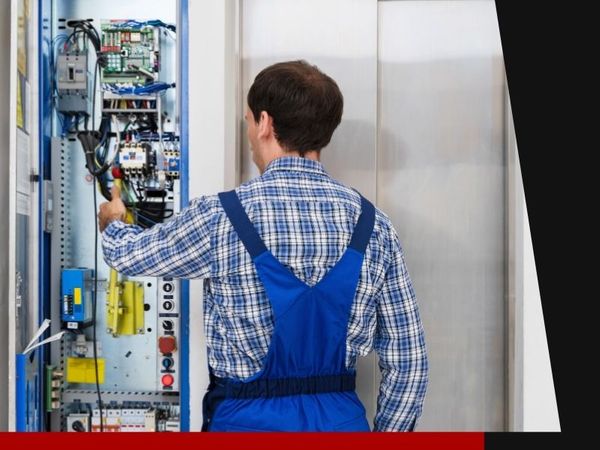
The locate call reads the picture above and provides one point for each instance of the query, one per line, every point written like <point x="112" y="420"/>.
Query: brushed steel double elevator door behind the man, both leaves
<point x="423" y="135"/>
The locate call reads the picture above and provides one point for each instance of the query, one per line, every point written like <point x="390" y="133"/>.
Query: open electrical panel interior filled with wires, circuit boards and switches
<point x="115" y="123"/>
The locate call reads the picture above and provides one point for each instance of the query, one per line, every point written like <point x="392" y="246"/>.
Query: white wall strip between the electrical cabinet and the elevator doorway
<point x="212" y="136"/>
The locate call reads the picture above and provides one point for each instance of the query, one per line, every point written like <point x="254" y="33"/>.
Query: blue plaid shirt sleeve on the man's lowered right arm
<point x="400" y="344"/>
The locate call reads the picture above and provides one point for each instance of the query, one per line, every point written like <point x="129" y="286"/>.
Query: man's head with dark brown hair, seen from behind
<point x="293" y="109"/>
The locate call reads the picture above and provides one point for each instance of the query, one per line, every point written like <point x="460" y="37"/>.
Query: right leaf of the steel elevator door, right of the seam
<point x="441" y="178"/>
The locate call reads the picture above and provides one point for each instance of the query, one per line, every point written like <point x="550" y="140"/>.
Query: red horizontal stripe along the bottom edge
<point x="243" y="441"/>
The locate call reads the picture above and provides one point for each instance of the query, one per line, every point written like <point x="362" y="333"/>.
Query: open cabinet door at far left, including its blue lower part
<point x="24" y="380"/>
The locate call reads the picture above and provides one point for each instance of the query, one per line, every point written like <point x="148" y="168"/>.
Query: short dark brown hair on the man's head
<point x="306" y="105"/>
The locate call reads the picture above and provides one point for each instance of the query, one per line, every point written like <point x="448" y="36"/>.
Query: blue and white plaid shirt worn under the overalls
<point x="306" y="219"/>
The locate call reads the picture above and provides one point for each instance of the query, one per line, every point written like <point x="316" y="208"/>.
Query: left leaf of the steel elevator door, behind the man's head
<point x="340" y="37"/>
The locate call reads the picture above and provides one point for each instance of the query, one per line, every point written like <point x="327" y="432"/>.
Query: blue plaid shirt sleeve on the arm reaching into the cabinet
<point x="178" y="248"/>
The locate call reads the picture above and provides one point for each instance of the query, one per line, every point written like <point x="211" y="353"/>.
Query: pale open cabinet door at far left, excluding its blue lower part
<point x="22" y="192"/>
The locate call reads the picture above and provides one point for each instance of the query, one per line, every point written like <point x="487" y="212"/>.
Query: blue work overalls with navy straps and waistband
<point x="303" y="384"/>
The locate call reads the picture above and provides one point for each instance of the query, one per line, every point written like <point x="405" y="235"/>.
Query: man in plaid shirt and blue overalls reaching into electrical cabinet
<point x="303" y="275"/>
